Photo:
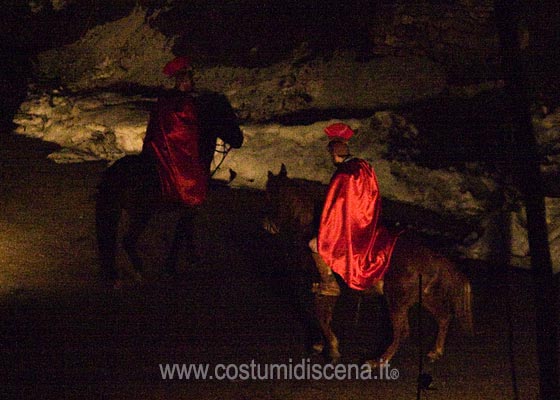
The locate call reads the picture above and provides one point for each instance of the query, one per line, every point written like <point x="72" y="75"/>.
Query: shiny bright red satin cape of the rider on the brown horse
<point x="351" y="240"/>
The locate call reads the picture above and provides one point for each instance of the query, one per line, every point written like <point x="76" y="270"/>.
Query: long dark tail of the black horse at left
<point x="107" y="216"/>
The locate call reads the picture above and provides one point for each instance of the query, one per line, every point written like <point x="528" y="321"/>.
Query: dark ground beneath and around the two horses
<point x="64" y="335"/>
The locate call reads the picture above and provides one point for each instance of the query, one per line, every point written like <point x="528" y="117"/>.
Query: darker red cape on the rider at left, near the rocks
<point x="172" y="136"/>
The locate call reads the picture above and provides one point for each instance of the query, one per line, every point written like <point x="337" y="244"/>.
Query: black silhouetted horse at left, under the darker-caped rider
<point x="132" y="184"/>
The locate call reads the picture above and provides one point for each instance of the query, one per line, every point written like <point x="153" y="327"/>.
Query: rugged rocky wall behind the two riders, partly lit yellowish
<point x="389" y="69"/>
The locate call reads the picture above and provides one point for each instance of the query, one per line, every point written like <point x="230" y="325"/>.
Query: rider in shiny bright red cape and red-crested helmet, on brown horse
<point x="350" y="241"/>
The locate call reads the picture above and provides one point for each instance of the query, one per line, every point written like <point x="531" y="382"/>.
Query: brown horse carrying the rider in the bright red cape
<point x="293" y="205"/>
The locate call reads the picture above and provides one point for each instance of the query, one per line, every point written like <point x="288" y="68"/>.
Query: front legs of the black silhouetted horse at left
<point x="182" y="237"/>
